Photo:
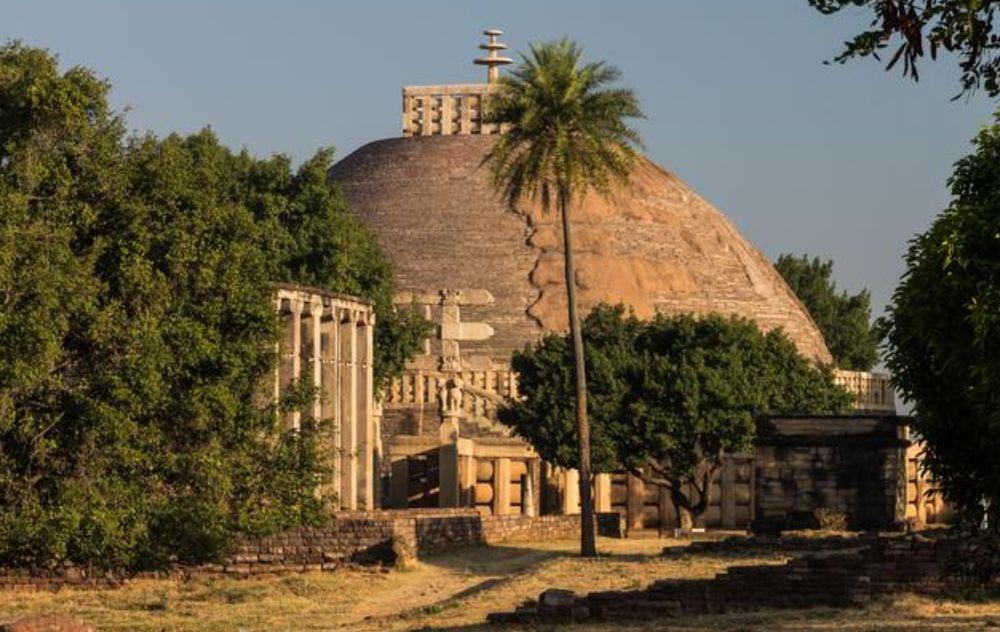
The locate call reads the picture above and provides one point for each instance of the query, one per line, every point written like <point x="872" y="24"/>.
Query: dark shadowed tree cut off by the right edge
<point x="942" y="333"/>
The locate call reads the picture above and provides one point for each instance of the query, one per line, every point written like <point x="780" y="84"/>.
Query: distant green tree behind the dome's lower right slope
<point x="844" y="320"/>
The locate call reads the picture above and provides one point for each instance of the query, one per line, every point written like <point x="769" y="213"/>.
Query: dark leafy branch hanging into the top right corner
<point x="926" y="27"/>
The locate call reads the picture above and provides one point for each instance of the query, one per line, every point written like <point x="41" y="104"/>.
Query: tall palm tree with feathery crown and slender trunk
<point x="566" y="133"/>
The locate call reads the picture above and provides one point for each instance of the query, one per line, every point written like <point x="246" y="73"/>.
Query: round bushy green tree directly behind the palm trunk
<point x="668" y="396"/>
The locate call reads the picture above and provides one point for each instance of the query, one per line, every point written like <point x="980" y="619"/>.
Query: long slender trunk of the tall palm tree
<point x="588" y="543"/>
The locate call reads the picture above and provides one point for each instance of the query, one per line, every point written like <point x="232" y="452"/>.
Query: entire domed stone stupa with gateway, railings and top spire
<point x="491" y="279"/>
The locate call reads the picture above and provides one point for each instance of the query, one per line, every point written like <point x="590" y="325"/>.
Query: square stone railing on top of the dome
<point x="446" y="110"/>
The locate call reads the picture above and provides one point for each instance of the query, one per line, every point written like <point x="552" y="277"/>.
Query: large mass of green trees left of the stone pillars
<point x="136" y="327"/>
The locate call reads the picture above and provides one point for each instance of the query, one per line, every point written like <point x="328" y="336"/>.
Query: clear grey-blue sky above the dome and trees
<point x="845" y="162"/>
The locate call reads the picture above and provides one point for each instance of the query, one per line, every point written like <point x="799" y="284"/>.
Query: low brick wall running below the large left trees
<point x="378" y="538"/>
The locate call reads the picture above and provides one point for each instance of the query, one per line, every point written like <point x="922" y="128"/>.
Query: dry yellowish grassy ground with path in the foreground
<point x="457" y="590"/>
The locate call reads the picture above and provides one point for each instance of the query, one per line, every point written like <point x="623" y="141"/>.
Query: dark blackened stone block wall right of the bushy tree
<point x="855" y="466"/>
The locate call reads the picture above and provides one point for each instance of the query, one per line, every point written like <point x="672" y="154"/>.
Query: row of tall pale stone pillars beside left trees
<point x="327" y="343"/>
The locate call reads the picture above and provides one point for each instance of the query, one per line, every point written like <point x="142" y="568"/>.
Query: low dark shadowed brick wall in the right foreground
<point x="849" y="578"/>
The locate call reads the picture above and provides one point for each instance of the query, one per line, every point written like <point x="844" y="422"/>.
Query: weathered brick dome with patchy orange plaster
<point x="655" y="245"/>
